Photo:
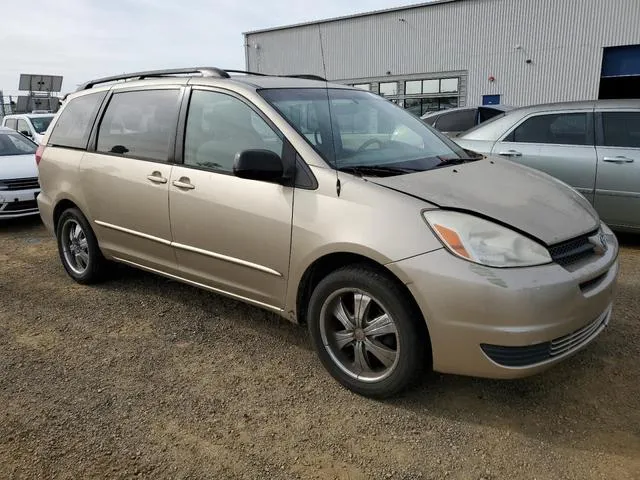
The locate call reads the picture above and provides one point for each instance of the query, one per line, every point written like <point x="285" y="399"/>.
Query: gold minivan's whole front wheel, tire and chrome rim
<point x="367" y="333"/>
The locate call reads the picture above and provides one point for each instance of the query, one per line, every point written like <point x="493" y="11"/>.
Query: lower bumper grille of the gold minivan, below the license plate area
<point x="532" y="354"/>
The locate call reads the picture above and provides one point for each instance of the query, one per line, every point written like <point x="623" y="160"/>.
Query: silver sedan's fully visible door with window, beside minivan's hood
<point x="560" y="144"/>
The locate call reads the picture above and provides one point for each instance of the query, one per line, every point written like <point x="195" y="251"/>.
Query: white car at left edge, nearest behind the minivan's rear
<point x="18" y="175"/>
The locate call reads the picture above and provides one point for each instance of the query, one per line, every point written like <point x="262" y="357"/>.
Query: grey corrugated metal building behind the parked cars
<point x="450" y="53"/>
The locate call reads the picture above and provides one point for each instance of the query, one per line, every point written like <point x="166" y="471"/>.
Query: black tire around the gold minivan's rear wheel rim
<point x="96" y="264"/>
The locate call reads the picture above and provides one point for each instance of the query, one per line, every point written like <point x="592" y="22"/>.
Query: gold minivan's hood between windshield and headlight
<point x="521" y="197"/>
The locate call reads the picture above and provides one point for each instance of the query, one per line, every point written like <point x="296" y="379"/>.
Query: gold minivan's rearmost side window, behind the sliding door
<point x="73" y="128"/>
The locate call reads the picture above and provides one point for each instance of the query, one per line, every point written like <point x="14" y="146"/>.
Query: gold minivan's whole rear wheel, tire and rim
<point x="78" y="248"/>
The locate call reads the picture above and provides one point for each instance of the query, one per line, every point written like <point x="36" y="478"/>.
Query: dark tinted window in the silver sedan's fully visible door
<point x="559" y="129"/>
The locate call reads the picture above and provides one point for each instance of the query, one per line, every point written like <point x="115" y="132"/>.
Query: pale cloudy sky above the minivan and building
<point x="85" y="39"/>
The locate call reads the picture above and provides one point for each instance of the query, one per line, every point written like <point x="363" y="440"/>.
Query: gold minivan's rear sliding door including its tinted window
<point x="126" y="179"/>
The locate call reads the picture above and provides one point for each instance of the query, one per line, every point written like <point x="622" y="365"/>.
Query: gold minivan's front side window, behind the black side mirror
<point x="219" y="126"/>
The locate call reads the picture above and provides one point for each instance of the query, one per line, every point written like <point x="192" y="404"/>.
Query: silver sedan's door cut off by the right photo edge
<point x="618" y="183"/>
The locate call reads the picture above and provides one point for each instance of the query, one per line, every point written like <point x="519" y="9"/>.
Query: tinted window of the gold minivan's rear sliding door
<point x="140" y="124"/>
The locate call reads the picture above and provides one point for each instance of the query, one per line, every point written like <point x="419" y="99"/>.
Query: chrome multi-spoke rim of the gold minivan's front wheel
<point x="360" y="335"/>
